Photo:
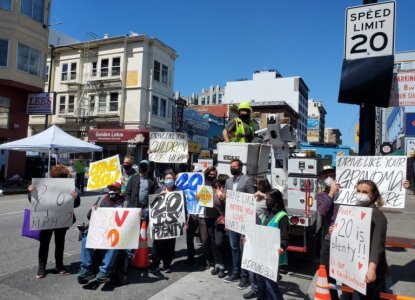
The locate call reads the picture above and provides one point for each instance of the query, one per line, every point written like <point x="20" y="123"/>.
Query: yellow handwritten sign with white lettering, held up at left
<point x="103" y="173"/>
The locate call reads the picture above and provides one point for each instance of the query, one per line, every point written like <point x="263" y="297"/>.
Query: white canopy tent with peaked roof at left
<point x="51" y="140"/>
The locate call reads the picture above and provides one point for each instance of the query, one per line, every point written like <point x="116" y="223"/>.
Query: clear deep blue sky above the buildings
<point x="224" y="40"/>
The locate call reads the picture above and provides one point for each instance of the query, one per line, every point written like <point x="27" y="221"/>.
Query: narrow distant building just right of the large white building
<point x="316" y="121"/>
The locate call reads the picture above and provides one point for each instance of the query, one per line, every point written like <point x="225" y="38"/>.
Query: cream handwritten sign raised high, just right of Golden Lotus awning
<point x="168" y="147"/>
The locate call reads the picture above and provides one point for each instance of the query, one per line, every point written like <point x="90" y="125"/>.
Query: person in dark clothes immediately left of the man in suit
<point x="217" y="233"/>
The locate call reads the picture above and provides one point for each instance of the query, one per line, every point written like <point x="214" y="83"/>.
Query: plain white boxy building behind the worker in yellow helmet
<point x="270" y="86"/>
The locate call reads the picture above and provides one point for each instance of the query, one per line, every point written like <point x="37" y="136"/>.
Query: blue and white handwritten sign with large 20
<point x="188" y="182"/>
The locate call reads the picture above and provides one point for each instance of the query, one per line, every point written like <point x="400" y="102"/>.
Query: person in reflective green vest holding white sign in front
<point x="275" y="216"/>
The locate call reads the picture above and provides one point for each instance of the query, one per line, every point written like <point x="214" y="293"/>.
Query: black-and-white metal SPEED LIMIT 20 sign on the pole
<point x="370" y="30"/>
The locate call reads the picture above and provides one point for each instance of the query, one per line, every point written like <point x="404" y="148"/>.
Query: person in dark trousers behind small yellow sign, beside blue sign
<point x="201" y="221"/>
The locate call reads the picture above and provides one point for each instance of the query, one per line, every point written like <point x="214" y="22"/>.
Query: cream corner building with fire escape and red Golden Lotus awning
<point x="111" y="87"/>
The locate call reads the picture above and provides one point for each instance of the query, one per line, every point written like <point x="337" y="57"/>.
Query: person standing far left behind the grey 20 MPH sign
<point x="58" y="171"/>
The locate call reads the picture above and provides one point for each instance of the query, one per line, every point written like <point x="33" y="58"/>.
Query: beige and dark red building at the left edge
<point x="24" y="31"/>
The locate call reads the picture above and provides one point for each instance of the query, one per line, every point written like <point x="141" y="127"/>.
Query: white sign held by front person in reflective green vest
<point x="260" y="253"/>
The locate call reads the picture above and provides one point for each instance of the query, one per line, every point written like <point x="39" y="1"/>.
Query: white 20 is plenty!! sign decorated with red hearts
<point x="350" y="246"/>
